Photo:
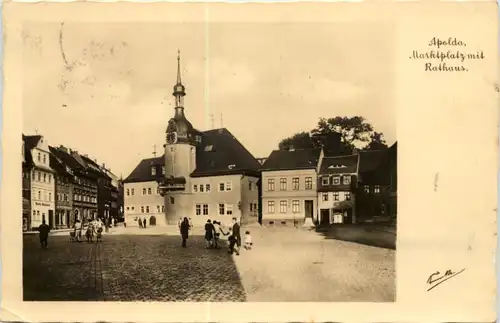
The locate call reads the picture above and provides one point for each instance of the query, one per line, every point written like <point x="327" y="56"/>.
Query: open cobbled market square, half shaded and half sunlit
<point x="285" y="265"/>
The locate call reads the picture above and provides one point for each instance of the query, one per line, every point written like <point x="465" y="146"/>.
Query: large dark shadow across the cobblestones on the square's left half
<point x="129" y="268"/>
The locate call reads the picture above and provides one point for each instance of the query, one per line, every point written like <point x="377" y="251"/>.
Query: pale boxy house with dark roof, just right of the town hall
<point x="289" y="187"/>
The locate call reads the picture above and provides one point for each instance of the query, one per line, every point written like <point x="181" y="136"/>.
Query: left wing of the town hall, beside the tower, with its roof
<point x="142" y="199"/>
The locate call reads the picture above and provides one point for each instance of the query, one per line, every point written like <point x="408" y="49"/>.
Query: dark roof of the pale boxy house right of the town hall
<point x="292" y="159"/>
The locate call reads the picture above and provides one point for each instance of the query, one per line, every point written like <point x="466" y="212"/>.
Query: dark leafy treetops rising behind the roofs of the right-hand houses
<point x="354" y="132"/>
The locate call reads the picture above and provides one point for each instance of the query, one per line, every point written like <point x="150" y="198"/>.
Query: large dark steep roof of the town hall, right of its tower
<point x="222" y="154"/>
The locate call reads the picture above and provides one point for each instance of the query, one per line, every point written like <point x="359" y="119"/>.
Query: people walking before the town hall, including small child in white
<point x="213" y="231"/>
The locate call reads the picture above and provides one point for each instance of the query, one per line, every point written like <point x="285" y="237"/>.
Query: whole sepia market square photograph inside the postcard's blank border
<point x="224" y="162"/>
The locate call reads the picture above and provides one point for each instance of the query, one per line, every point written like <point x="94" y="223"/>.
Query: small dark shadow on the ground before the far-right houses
<point x="375" y="235"/>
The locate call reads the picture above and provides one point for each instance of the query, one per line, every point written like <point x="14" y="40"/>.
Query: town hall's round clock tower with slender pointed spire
<point x="180" y="158"/>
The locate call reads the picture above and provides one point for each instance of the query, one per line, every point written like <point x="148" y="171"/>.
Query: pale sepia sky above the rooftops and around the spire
<point x="106" y="89"/>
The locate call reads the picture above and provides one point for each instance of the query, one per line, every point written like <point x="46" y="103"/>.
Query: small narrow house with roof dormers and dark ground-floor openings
<point x="337" y="180"/>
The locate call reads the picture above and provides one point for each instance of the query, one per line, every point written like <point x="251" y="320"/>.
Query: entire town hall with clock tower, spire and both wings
<point x="204" y="174"/>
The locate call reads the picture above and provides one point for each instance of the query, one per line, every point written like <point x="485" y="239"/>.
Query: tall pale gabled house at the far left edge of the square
<point x="42" y="182"/>
